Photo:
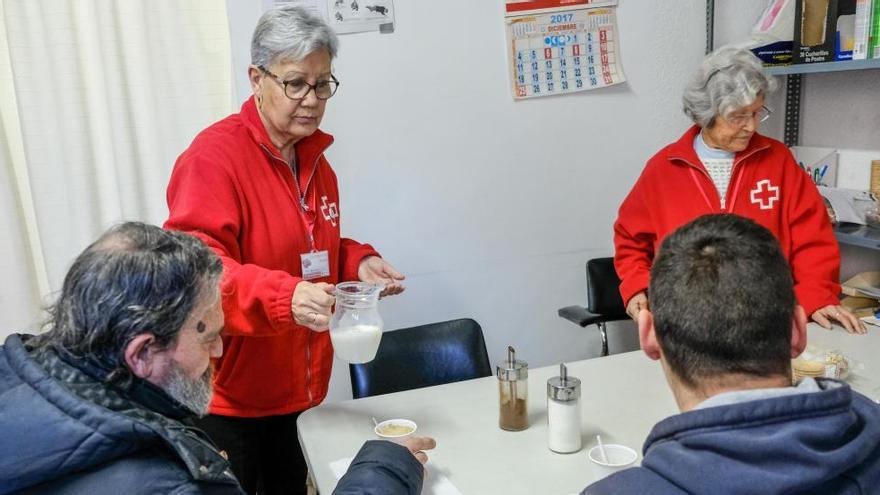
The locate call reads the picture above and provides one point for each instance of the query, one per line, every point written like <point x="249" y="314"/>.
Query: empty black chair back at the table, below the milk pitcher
<point x="423" y="356"/>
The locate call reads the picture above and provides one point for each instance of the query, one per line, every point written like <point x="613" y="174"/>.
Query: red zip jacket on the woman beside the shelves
<point x="766" y="185"/>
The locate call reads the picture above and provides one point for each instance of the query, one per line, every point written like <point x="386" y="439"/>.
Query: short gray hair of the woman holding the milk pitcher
<point x="290" y="33"/>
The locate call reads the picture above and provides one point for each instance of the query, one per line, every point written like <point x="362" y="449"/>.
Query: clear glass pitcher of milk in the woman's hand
<point x="356" y="327"/>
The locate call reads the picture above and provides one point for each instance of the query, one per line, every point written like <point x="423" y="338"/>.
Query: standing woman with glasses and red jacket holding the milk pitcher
<point x="257" y="188"/>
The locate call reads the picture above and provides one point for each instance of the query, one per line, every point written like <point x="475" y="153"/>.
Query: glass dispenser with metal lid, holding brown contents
<point x="513" y="392"/>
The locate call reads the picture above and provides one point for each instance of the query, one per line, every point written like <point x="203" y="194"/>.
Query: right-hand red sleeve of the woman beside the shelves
<point x="815" y="255"/>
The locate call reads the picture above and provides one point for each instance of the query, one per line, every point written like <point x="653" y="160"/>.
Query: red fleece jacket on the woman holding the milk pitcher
<point x="232" y="189"/>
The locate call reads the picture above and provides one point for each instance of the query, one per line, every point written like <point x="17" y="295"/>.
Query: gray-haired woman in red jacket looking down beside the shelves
<point x="723" y="165"/>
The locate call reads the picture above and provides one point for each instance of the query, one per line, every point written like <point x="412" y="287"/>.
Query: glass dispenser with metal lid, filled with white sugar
<point x="564" y="412"/>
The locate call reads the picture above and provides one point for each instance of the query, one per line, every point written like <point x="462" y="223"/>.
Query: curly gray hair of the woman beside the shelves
<point x="729" y="78"/>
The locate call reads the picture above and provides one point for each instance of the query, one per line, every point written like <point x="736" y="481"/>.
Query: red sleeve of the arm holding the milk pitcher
<point x="203" y="200"/>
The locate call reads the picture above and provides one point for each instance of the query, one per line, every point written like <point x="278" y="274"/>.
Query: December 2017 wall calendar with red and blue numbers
<point x="555" y="51"/>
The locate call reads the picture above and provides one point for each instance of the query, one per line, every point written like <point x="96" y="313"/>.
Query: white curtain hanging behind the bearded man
<point x="97" y="99"/>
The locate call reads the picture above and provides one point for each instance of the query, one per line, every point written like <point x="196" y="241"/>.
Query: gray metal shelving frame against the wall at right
<point x="852" y="234"/>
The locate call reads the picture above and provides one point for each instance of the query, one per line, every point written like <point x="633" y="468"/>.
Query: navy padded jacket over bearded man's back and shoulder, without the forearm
<point x="62" y="431"/>
